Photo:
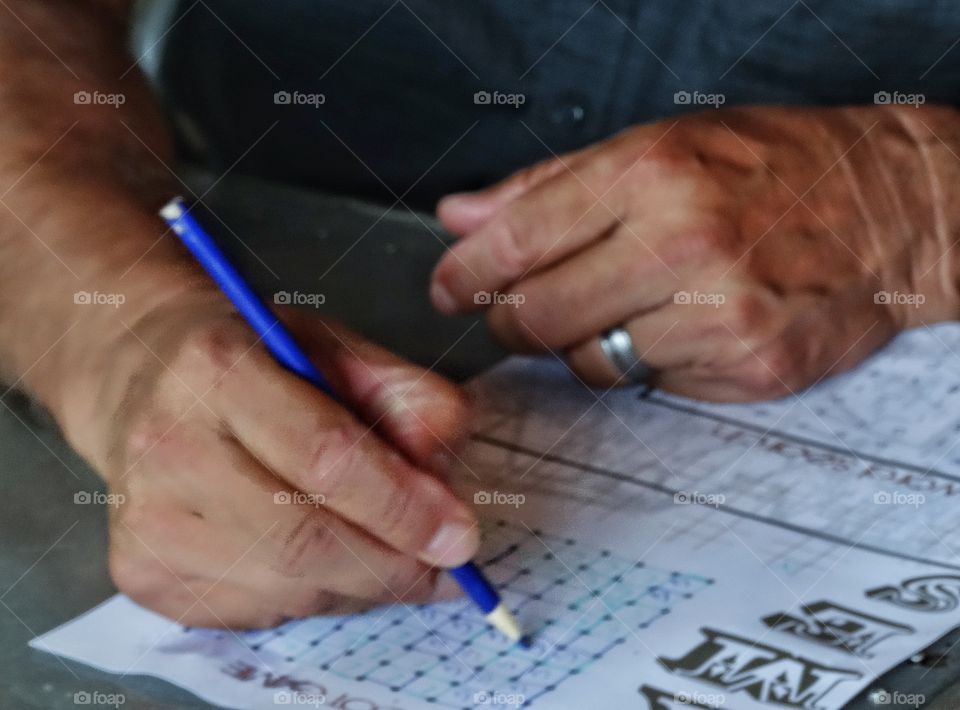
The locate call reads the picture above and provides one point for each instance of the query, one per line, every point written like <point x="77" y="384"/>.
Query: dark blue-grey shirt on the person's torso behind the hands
<point x="401" y="114"/>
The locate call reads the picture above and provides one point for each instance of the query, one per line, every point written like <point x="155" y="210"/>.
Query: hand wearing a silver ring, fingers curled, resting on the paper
<point x="749" y="252"/>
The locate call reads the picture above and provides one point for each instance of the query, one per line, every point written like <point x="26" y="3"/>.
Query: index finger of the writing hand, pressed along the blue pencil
<point x="317" y="447"/>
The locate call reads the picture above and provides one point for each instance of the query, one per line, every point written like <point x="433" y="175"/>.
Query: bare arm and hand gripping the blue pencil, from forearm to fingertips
<point x="227" y="468"/>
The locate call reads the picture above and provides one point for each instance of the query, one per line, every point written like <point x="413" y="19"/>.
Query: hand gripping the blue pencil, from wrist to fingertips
<point x="250" y="497"/>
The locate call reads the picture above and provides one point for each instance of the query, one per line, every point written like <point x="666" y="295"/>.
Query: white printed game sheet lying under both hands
<point x="665" y="553"/>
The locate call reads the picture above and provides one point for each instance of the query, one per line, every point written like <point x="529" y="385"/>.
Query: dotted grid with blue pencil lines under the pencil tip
<point x="578" y="601"/>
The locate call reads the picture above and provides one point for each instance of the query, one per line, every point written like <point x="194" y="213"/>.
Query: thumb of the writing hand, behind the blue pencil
<point x="421" y="413"/>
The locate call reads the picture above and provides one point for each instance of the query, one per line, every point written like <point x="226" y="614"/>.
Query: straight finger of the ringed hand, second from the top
<point x="549" y="222"/>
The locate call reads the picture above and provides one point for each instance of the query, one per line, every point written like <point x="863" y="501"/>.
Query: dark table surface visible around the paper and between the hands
<point x="373" y="269"/>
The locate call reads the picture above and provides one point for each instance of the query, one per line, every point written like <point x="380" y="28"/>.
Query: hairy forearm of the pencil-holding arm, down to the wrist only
<point x="79" y="183"/>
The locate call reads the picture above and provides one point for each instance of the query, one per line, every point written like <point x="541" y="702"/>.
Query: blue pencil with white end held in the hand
<point x="284" y="348"/>
